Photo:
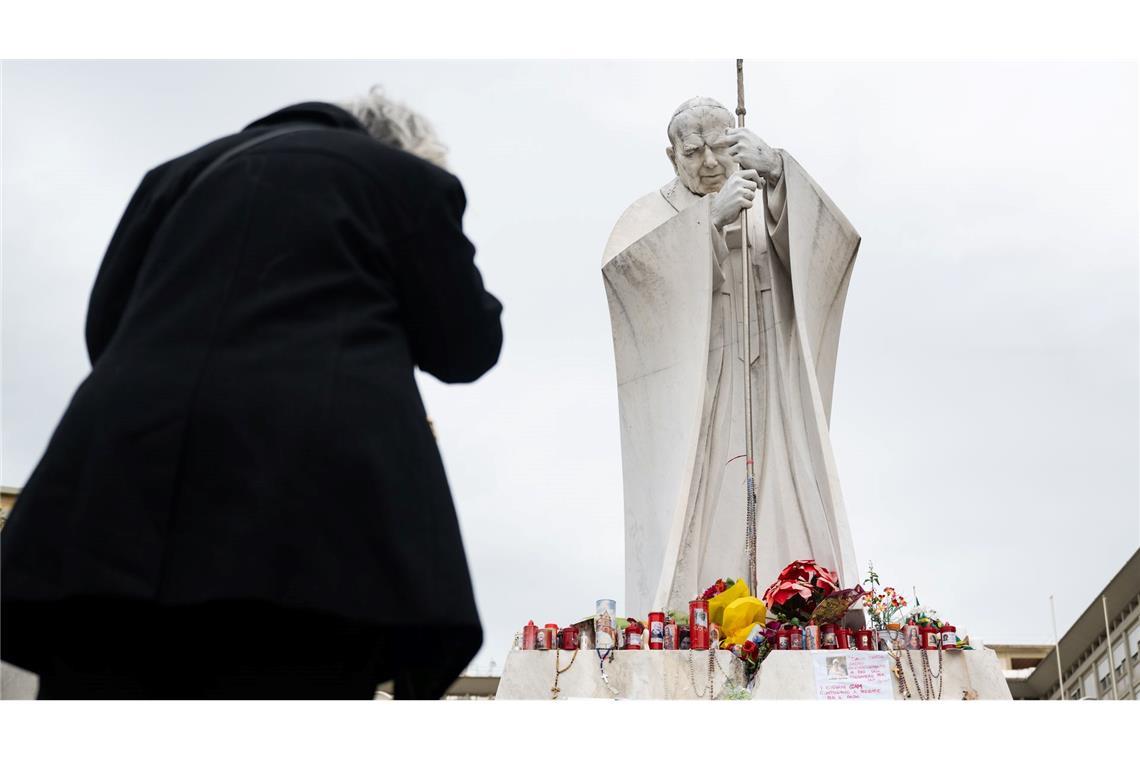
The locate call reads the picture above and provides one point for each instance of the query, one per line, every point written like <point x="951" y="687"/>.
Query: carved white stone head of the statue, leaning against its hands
<point x="696" y="150"/>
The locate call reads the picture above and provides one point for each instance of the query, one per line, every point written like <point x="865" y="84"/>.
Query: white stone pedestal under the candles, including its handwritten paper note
<point x="784" y="675"/>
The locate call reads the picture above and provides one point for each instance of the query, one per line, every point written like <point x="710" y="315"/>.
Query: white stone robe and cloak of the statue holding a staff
<point x="674" y="285"/>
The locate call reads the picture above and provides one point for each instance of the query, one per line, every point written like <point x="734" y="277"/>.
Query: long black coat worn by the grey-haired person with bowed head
<point x="251" y="427"/>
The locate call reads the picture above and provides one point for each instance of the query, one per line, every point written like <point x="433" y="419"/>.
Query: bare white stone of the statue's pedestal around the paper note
<point x="645" y="675"/>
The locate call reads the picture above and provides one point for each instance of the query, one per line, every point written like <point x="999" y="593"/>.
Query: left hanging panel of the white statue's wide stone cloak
<point x="661" y="292"/>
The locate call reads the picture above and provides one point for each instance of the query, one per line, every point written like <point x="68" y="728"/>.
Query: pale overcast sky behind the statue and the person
<point x="986" y="416"/>
